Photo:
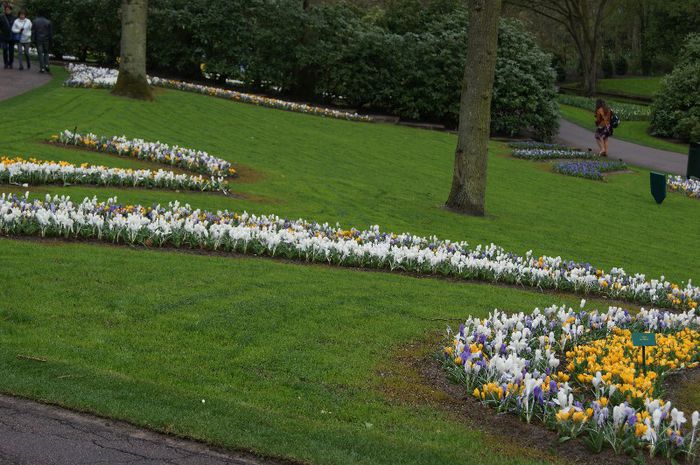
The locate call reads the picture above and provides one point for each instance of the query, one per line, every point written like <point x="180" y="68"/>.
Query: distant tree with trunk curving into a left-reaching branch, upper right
<point x="583" y="20"/>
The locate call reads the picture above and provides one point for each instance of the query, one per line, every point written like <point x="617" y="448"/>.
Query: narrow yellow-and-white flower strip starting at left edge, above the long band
<point x="34" y="172"/>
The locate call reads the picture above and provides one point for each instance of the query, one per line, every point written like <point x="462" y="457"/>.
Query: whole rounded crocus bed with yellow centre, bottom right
<point x="578" y="373"/>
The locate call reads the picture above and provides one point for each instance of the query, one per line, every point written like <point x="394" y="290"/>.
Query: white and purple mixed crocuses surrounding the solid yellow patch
<point x="511" y="362"/>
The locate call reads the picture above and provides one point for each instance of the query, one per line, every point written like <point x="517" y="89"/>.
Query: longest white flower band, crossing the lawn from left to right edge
<point x="181" y="226"/>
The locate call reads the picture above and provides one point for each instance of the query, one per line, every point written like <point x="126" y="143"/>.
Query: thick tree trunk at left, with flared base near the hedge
<point x="133" y="81"/>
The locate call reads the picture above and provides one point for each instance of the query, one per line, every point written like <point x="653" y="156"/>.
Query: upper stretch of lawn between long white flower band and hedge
<point x="360" y="174"/>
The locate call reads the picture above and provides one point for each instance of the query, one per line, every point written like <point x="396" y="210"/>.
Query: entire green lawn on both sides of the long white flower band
<point x="288" y="357"/>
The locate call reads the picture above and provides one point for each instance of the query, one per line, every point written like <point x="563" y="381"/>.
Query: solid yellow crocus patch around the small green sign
<point x="618" y="360"/>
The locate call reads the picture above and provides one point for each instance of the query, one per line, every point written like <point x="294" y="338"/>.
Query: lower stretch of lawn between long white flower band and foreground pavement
<point x="287" y="358"/>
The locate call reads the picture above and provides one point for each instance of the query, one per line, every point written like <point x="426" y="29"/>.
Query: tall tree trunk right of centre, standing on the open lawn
<point x="468" y="193"/>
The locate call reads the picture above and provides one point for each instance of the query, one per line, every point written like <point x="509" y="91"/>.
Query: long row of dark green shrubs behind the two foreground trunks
<point x="406" y="58"/>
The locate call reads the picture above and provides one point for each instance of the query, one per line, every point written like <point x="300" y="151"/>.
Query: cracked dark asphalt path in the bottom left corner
<point x="38" y="434"/>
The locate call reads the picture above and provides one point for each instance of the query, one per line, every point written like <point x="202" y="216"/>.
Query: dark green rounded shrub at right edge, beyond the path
<point x="676" y="110"/>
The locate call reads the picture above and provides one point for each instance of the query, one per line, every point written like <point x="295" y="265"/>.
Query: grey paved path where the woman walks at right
<point x="638" y="155"/>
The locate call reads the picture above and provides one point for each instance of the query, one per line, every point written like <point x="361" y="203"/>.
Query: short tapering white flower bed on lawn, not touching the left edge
<point x="190" y="159"/>
